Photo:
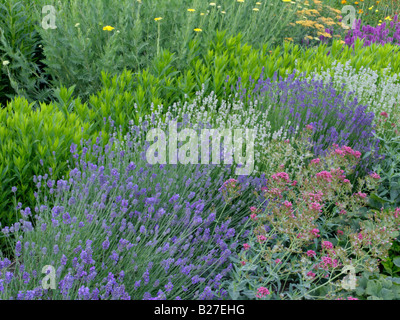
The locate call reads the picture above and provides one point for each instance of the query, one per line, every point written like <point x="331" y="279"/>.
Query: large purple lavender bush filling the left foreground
<point x="120" y="228"/>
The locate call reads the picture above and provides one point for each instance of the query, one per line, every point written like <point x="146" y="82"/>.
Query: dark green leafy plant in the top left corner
<point x="20" y="47"/>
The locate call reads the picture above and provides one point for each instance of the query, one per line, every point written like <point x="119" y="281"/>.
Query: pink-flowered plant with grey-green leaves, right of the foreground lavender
<point x="295" y="249"/>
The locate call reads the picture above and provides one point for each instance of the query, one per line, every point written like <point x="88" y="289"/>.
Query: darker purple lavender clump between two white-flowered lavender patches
<point x="334" y="116"/>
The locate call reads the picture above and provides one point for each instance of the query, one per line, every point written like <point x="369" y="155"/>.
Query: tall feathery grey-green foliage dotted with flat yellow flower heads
<point x="79" y="48"/>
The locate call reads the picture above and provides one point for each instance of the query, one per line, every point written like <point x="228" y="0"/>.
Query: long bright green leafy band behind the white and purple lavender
<point x="228" y="59"/>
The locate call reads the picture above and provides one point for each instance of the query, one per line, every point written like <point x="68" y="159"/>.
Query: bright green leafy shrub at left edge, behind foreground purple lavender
<point x="28" y="139"/>
